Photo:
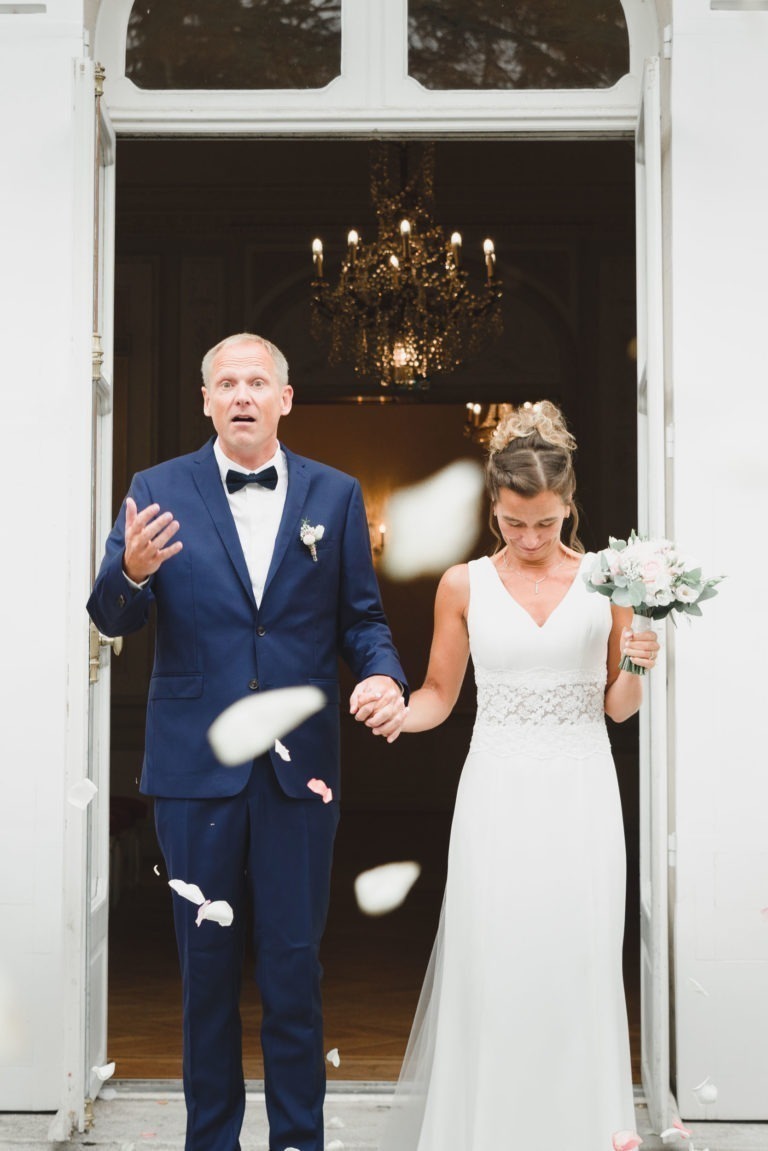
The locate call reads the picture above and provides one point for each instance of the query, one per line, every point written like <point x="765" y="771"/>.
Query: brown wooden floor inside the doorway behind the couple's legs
<point x="374" y="967"/>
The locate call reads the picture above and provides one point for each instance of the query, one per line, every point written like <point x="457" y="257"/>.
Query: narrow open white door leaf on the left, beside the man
<point x="87" y="856"/>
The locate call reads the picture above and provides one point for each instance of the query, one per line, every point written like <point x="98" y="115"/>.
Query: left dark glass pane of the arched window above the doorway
<point x="234" y="44"/>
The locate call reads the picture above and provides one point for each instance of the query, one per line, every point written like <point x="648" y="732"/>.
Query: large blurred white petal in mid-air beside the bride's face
<point x="434" y="524"/>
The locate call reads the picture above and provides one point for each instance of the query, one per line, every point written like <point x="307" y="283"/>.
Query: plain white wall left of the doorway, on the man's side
<point x="45" y="479"/>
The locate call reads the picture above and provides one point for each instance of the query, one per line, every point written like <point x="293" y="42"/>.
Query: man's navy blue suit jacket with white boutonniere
<point x="215" y="646"/>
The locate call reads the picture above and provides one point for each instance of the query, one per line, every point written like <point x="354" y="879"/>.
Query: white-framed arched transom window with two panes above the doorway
<point x="364" y="67"/>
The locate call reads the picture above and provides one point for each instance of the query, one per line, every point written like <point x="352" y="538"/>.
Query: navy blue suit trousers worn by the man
<point x="270" y="857"/>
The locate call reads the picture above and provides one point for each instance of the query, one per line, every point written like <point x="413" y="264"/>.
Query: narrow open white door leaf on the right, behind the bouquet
<point x="655" y="935"/>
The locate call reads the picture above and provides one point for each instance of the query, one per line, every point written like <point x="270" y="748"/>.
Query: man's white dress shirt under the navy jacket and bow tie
<point x="257" y="513"/>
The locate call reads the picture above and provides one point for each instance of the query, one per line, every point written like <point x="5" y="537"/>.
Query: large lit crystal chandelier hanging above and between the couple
<point x="402" y="308"/>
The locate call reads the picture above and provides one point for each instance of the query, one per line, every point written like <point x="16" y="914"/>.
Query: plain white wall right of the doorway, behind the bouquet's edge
<point x="719" y="308"/>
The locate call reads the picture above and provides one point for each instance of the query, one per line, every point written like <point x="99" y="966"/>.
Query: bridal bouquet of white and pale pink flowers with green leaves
<point x="651" y="577"/>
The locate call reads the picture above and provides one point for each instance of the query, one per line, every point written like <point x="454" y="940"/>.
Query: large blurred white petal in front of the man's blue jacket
<point x="252" y="727"/>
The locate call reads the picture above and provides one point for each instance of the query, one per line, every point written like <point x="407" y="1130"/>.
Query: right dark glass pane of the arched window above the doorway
<point x="503" y="44"/>
